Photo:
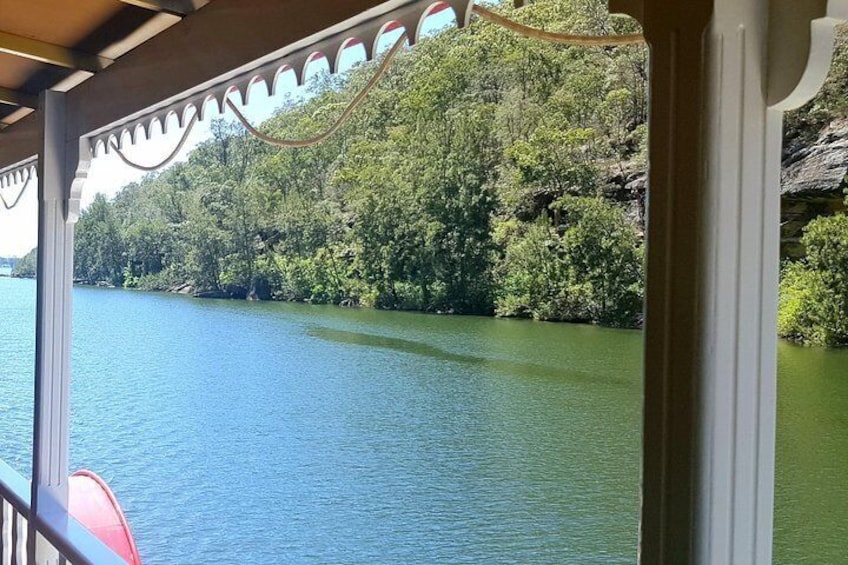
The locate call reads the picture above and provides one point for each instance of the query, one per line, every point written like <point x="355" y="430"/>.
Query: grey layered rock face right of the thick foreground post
<point x="812" y="183"/>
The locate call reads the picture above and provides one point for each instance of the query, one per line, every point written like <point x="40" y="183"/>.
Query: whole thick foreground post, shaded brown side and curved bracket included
<point x="722" y="72"/>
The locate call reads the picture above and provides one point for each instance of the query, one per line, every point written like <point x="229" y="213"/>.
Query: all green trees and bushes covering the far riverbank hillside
<point x="484" y="174"/>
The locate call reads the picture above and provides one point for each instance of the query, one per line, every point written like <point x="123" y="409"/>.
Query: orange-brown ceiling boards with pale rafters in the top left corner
<point x="58" y="44"/>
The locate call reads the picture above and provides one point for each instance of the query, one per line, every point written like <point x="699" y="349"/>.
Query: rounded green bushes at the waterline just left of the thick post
<point x="588" y="268"/>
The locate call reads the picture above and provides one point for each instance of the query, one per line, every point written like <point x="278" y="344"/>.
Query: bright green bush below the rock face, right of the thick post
<point x="814" y="292"/>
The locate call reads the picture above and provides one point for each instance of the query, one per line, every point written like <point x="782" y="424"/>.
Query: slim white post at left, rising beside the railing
<point x="60" y="174"/>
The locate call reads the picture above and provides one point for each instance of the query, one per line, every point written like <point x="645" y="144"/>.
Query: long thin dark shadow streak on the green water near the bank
<point x="512" y="368"/>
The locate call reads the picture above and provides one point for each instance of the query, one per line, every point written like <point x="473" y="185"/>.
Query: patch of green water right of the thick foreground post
<point x="811" y="502"/>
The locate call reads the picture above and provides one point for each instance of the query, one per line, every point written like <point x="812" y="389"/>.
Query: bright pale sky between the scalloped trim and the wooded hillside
<point x="19" y="226"/>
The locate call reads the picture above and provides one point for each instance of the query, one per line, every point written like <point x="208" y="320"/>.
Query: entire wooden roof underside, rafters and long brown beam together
<point x="122" y="60"/>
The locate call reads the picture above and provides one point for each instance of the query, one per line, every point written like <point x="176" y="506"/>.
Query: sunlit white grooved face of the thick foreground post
<point x="738" y="341"/>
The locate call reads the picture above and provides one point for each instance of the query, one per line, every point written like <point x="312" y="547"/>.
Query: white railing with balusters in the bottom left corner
<point x="61" y="540"/>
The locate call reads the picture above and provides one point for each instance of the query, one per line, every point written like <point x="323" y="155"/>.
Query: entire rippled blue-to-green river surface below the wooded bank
<point x="236" y="432"/>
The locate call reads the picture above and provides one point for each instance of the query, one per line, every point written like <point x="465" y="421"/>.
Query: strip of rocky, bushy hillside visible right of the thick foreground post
<point x="814" y="224"/>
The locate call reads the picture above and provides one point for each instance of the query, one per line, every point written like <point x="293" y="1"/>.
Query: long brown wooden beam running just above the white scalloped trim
<point x="222" y="37"/>
